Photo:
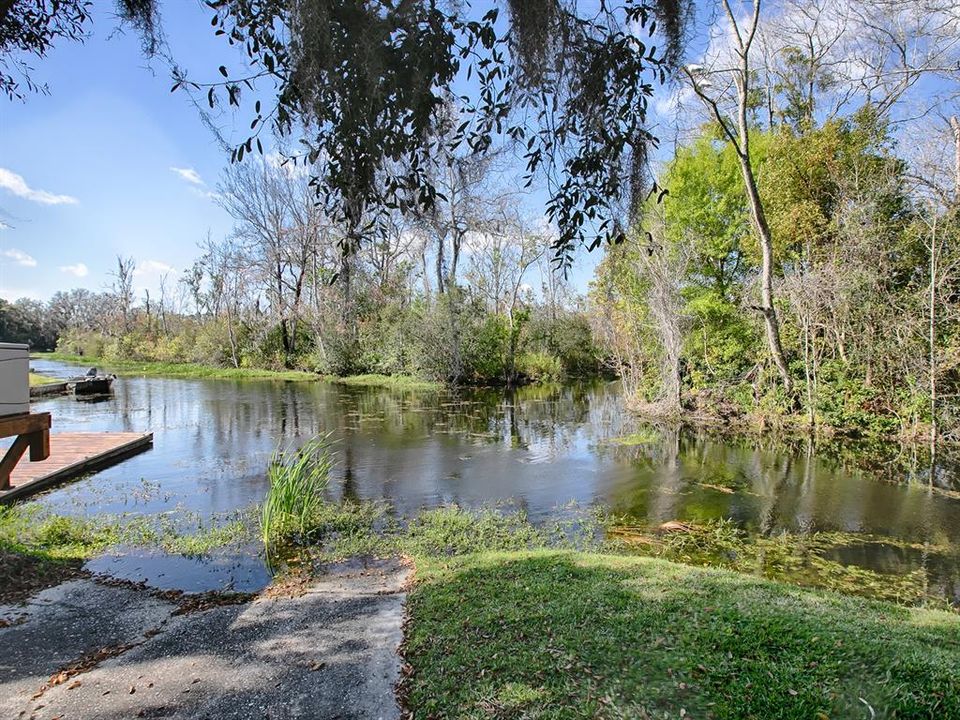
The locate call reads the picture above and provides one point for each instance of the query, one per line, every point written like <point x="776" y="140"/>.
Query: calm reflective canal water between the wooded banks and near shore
<point x="538" y="448"/>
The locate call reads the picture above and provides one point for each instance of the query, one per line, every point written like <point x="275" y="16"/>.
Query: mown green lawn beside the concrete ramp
<point x="563" y="634"/>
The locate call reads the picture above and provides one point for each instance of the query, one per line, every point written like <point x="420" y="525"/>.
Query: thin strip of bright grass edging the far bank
<point x="194" y="370"/>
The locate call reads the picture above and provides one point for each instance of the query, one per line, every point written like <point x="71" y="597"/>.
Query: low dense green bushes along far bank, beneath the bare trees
<point x="423" y="339"/>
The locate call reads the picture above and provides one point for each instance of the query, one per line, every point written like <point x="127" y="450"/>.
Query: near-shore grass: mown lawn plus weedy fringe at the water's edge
<point x="507" y="619"/>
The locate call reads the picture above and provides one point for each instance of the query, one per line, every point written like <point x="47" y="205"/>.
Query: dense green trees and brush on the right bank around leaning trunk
<point x="865" y="285"/>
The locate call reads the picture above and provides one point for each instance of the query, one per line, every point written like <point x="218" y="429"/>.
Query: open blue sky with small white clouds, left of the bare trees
<point x="86" y="170"/>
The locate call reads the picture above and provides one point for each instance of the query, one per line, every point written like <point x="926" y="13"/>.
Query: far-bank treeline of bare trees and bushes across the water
<point x="466" y="295"/>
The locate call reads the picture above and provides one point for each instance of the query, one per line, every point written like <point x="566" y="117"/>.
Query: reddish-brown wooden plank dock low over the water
<point x="73" y="454"/>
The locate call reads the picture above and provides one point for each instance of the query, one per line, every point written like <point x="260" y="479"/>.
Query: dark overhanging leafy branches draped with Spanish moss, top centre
<point x="570" y="87"/>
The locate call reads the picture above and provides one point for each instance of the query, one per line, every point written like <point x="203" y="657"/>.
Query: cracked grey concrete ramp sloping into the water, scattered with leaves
<point x="330" y="652"/>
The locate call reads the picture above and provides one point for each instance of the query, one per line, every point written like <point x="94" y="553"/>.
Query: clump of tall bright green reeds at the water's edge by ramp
<point x="298" y="479"/>
